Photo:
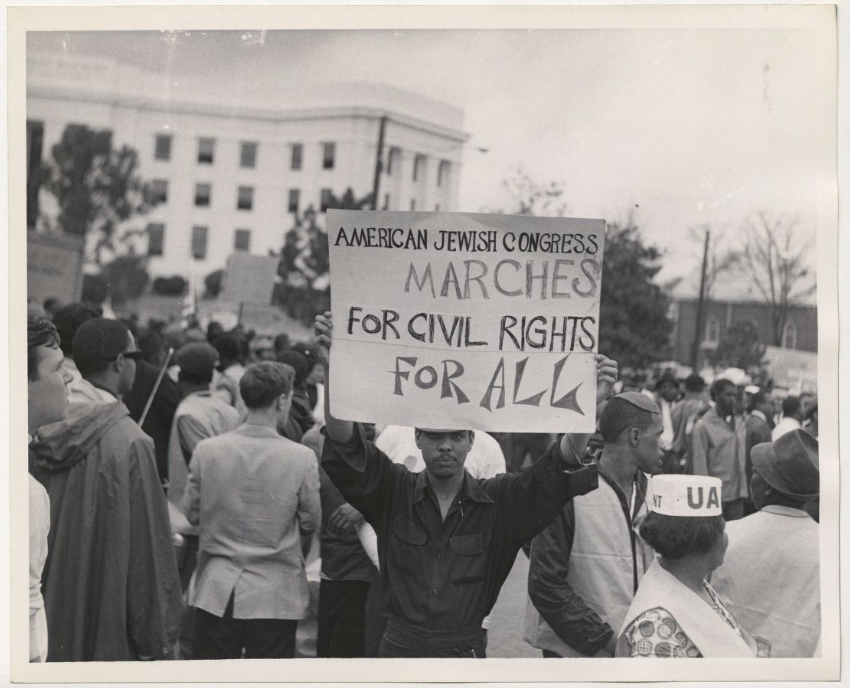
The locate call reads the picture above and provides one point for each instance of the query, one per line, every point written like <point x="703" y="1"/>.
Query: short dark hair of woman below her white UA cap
<point x="674" y="537"/>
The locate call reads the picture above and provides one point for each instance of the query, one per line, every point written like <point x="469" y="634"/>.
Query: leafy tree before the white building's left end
<point x="96" y="187"/>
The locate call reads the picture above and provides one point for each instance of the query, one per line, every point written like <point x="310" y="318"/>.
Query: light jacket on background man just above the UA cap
<point x="719" y="450"/>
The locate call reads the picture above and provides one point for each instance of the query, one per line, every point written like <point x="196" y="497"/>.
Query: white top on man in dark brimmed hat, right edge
<point x="771" y="579"/>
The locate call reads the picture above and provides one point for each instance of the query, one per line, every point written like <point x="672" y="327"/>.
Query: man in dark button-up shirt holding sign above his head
<point x="447" y="542"/>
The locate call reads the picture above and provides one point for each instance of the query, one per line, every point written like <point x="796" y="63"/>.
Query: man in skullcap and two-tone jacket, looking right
<point x="585" y="566"/>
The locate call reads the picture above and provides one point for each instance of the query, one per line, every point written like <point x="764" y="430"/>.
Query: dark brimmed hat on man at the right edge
<point x="790" y="464"/>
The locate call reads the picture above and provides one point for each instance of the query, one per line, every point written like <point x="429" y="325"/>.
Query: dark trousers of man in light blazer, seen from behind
<point x="226" y="637"/>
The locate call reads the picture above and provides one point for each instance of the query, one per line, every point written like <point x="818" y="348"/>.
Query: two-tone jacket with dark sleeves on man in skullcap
<point x="584" y="571"/>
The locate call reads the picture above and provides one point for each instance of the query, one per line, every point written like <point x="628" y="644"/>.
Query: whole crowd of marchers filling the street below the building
<point x="186" y="484"/>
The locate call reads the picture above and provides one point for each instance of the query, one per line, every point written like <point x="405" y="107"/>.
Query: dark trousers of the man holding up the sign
<point x="405" y="640"/>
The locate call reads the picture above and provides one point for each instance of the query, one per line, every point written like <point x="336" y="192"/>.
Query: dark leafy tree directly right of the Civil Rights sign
<point x="634" y="328"/>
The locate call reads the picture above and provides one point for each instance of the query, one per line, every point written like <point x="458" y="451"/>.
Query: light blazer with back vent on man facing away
<point x="252" y="493"/>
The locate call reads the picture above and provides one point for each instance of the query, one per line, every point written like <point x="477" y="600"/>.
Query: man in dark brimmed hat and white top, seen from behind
<point x="771" y="576"/>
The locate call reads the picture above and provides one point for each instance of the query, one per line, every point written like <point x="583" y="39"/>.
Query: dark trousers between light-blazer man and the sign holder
<point x="342" y="618"/>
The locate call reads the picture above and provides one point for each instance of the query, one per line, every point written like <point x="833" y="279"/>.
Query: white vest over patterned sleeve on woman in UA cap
<point x="659" y="589"/>
